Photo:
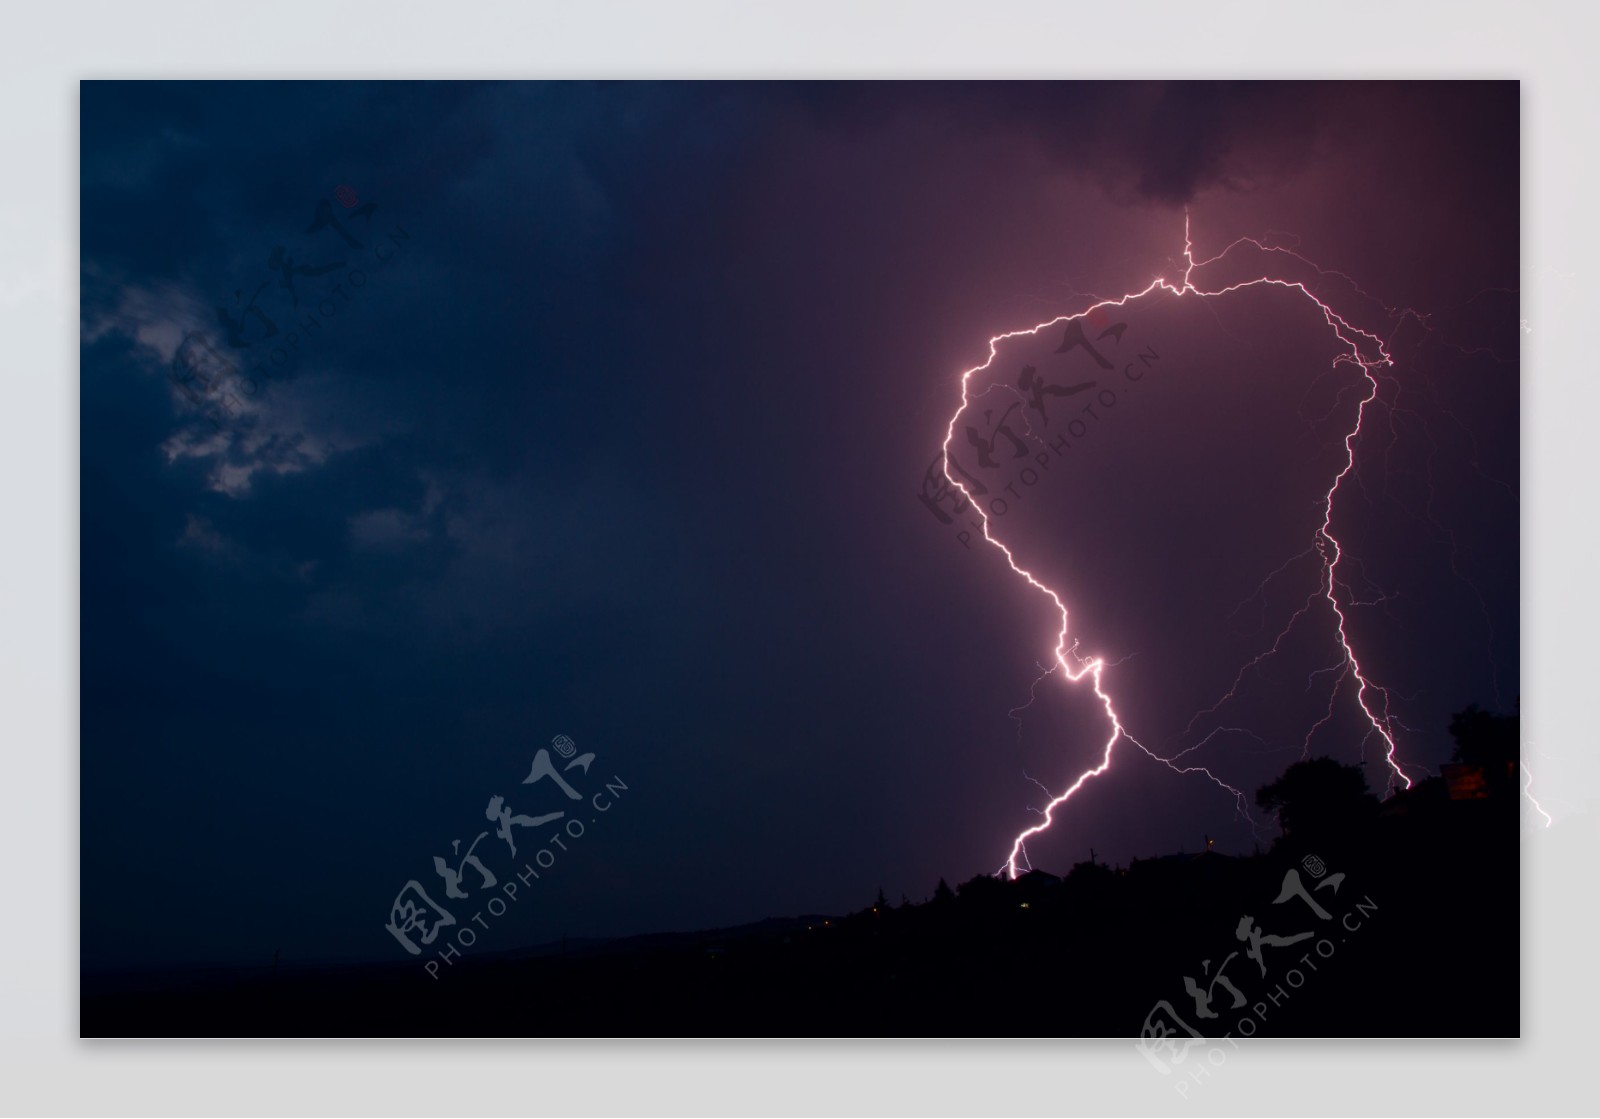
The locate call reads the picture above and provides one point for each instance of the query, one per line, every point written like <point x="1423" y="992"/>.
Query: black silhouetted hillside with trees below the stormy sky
<point x="1087" y="953"/>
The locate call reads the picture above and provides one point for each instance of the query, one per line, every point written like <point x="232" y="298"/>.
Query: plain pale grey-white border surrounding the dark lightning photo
<point x="47" y="50"/>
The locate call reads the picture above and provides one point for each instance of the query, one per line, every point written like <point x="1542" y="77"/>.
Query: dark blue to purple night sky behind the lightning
<point x="622" y="436"/>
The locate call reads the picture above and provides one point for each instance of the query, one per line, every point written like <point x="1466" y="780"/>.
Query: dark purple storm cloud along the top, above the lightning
<point x="1169" y="143"/>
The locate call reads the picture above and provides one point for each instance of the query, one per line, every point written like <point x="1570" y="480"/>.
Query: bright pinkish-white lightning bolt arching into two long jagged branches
<point x="1094" y="668"/>
